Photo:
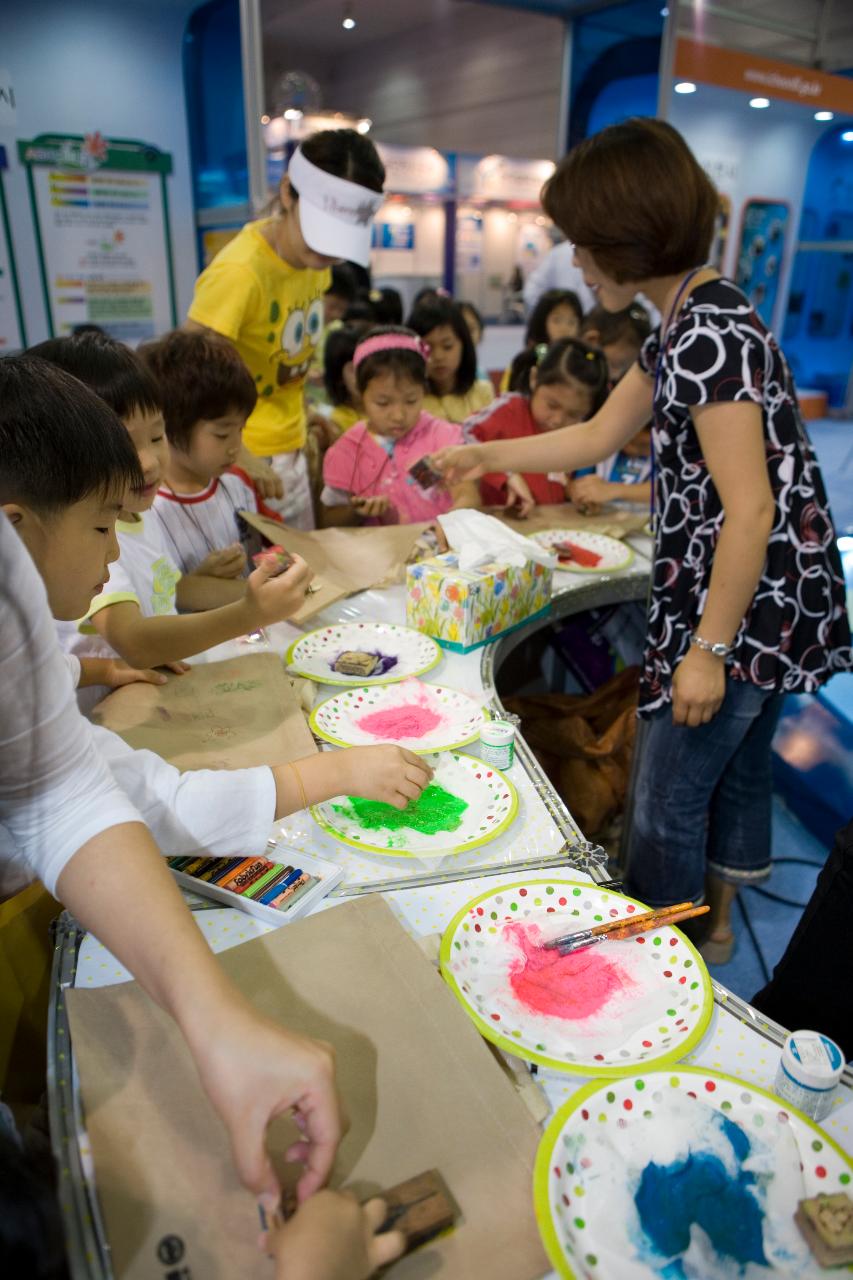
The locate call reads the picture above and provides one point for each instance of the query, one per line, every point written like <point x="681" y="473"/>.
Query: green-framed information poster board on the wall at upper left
<point x="102" y="220"/>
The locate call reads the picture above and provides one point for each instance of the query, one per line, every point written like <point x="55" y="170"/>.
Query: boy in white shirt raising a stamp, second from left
<point x="136" y="615"/>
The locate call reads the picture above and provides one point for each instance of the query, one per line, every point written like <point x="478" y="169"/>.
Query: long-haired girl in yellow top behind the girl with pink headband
<point x="454" y="391"/>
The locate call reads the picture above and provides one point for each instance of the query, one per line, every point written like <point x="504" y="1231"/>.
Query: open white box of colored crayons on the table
<point x="276" y="889"/>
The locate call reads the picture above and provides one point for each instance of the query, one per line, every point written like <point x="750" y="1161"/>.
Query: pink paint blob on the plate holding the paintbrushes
<point x="572" y="988"/>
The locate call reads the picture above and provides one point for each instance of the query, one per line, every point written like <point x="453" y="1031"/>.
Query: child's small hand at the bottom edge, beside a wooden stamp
<point x="335" y="1238"/>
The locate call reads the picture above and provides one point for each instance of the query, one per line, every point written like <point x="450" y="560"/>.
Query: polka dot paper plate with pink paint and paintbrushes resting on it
<point x="609" y="1011"/>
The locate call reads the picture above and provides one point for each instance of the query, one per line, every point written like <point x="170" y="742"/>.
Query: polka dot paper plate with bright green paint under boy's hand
<point x="466" y="806"/>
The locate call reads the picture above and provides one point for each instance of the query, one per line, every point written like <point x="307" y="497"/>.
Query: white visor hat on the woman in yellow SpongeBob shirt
<point x="336" y="216"/>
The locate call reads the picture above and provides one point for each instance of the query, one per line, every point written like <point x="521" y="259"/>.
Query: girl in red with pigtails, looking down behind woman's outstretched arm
<point x="558" y="386"/>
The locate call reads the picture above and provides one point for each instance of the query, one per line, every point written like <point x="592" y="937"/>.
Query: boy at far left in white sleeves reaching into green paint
<point x="65" y="465"/>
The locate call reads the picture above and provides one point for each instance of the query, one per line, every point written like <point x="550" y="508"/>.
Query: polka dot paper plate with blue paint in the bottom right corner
<point x="686" y="1173"/>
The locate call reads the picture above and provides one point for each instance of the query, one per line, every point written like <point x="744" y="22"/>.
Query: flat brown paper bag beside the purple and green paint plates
<point x="218" y="716"/>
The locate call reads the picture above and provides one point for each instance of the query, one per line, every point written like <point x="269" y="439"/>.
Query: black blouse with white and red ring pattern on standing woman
<point x="796" y="634"/>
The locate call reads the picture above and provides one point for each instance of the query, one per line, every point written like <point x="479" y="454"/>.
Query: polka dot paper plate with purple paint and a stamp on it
<point x="402" y="651"/>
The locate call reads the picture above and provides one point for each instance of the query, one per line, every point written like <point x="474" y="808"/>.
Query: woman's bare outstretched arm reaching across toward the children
<point x="626" y="412"/>
